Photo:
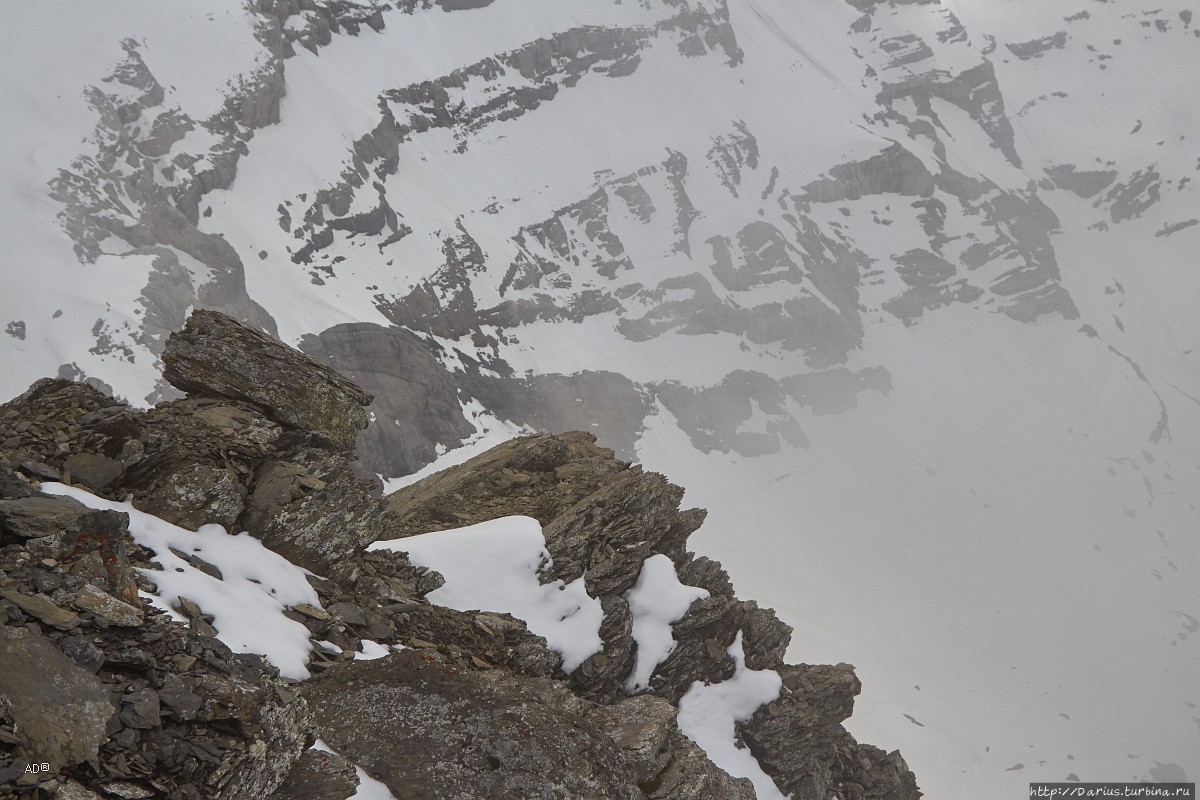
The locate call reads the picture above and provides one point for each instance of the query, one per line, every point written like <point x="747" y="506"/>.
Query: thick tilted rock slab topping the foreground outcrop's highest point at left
<point x="217" y="356"/>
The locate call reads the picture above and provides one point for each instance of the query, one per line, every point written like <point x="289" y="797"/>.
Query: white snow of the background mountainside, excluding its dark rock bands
<point x="1004" y="542"/>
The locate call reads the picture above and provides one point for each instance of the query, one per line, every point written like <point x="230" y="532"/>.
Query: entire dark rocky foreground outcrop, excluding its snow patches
<point x="103" y="696"/>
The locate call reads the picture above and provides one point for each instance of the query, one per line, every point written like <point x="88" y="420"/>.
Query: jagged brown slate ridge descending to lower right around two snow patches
<point x="603" y="519"/>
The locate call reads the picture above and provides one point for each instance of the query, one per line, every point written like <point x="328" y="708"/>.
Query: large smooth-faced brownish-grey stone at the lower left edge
<point x="61" y="711"/>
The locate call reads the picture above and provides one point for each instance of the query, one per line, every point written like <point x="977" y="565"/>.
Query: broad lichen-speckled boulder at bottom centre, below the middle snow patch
<point x="443" y="733"/>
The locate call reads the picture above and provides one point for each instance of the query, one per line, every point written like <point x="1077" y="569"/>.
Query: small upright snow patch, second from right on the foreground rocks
<point x="656" y="601"/>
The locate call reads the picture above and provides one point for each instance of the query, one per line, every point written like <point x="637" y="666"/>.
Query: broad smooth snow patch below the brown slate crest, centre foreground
<point x="496" y="567"/>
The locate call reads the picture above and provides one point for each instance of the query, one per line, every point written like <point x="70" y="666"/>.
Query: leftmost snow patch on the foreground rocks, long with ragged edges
<point x="248" y="605"/>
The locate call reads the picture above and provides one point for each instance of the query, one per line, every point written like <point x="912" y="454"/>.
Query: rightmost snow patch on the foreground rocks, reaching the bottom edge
<point x="709" y="714"/>
